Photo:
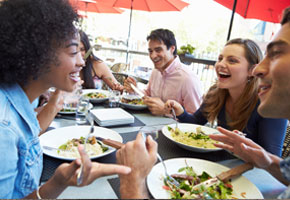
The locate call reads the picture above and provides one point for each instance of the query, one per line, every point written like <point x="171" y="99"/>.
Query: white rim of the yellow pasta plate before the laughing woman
<point x="189" y="127"/>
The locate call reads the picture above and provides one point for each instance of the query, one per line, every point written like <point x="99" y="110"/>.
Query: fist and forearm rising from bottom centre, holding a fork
<point x="140" y="157"/>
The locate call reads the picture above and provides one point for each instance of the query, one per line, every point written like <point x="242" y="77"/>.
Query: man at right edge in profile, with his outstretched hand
<point x="274" y="75"/>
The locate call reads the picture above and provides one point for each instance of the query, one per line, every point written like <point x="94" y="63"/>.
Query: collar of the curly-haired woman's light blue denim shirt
<point x="18" y="98"/>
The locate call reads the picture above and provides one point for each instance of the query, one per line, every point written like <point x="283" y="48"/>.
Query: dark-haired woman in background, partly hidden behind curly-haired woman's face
<point x="95" y="71"/>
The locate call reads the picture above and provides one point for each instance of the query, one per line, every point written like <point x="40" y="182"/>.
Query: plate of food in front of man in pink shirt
<point x="132" y="102"/>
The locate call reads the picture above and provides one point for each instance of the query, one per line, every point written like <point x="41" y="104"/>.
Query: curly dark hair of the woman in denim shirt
<point x="31" y="31"/>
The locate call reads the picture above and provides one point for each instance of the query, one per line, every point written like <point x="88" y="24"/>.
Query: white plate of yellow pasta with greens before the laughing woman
<point x="192" y="137"/>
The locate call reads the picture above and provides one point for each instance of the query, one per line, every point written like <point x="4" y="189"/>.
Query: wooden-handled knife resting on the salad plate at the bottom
<point x="225" y="176"/>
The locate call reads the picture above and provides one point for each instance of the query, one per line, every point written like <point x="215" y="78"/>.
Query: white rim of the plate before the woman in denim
<point x="59" y="136"/>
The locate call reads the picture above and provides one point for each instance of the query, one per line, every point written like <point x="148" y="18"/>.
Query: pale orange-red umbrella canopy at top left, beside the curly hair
<point x="93" y="6"/>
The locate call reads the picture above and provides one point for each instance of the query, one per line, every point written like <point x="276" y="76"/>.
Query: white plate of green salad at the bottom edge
<point x="189" y="172"/>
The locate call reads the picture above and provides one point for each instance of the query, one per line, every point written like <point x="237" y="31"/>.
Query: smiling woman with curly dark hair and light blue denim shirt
<point x="39" y="49"/>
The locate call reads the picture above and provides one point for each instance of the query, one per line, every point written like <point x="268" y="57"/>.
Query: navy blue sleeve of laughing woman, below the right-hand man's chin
<point x="271" y="134"/>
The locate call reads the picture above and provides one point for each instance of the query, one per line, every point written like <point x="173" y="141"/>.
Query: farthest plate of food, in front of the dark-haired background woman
<point x="96" y="96"/>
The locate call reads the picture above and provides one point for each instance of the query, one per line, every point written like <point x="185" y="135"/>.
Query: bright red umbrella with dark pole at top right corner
<point x="265" y="10"/>
